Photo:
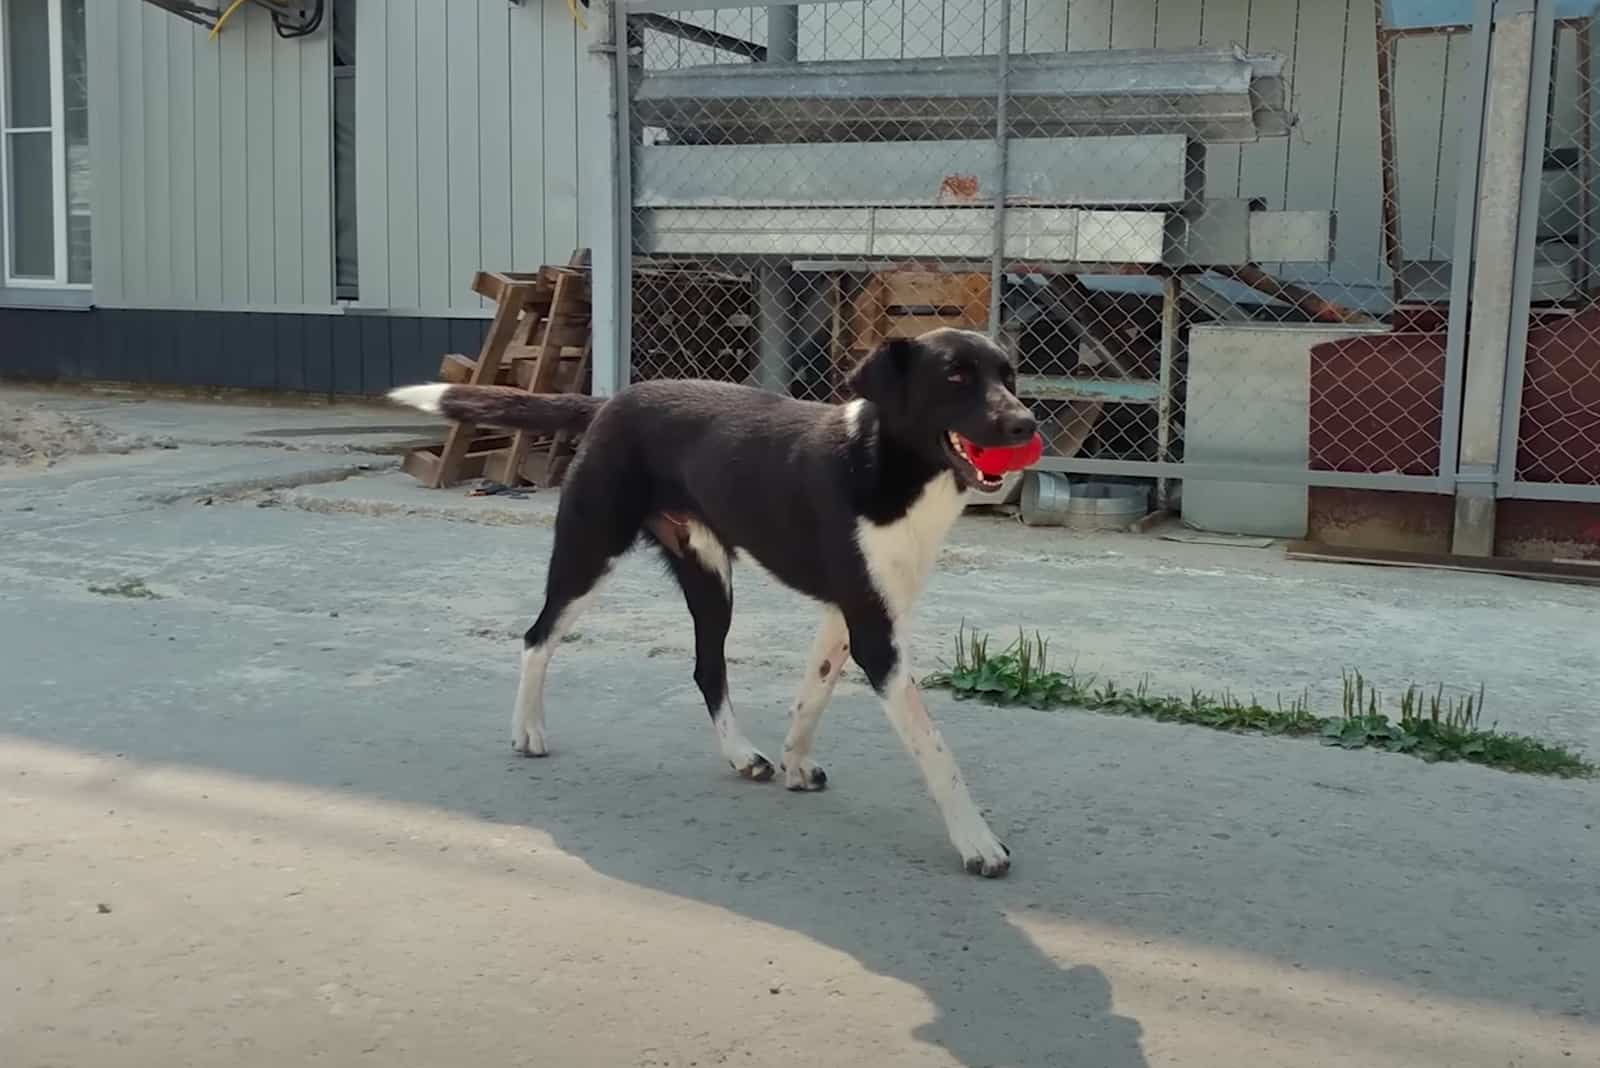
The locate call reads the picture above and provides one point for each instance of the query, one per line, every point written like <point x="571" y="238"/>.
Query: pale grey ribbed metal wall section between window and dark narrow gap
<point x="212" y="162"/>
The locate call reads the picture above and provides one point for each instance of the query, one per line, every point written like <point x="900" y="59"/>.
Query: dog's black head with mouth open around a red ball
<point x="943" y="394"/>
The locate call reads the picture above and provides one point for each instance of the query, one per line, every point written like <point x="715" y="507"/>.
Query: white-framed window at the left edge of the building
<point x="44" y="143"/>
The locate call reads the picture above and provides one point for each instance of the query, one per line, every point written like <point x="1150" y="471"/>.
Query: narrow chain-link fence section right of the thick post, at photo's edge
<point x="1553" y="436"/>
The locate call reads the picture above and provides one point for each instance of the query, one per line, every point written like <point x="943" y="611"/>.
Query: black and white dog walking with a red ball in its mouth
<point x="847" y="504"/>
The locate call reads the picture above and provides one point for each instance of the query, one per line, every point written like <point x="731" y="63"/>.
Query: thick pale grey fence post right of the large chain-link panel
<point x="1500" y="209"/>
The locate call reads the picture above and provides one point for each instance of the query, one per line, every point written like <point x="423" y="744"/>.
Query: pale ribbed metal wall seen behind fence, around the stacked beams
<point x="1330" y="164"/>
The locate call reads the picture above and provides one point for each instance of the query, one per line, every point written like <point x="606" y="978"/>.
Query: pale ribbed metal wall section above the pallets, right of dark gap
<point x="470" y="146"/>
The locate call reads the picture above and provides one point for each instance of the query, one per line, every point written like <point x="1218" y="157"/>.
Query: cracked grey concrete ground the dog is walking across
<point x="271" y="816"/>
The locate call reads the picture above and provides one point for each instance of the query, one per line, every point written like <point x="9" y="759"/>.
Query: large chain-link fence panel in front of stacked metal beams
<point x="1217" y="236"/>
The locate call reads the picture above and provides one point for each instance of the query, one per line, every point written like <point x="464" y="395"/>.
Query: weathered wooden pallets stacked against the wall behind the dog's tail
<point x="542" y="341"/>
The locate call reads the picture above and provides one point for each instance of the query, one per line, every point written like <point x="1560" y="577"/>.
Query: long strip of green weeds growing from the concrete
<point x="1433" y="727"/>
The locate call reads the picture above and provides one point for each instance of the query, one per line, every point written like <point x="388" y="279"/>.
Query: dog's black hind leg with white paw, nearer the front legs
<point x="703" y="570"/>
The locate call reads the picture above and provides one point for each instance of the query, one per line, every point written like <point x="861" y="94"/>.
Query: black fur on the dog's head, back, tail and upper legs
<point x="782" y="480"/>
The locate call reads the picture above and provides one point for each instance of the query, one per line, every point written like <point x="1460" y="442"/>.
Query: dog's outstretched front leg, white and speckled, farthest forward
<point x="881" y="656"/>
